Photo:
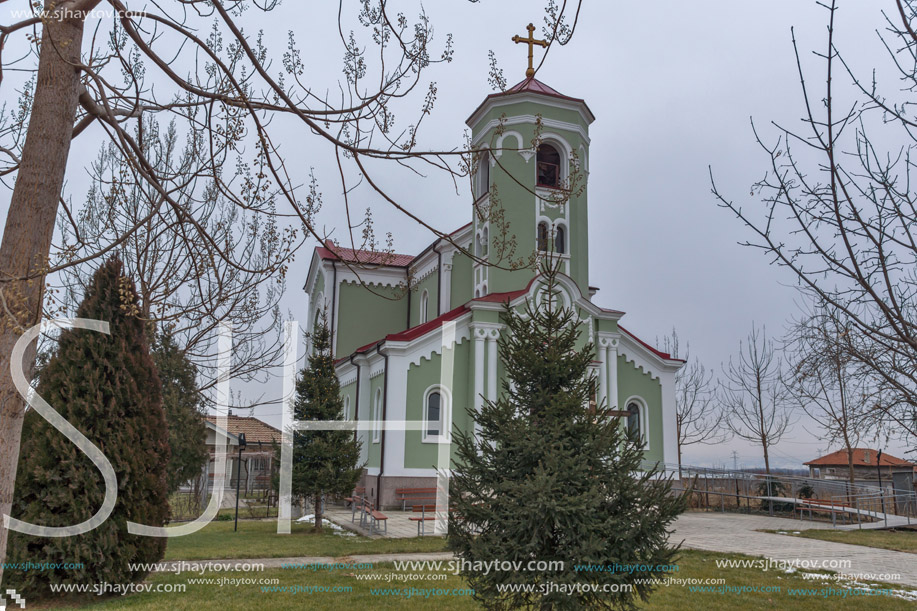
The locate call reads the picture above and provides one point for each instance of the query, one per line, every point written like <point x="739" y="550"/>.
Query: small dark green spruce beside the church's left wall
<point x="324" y="462"/>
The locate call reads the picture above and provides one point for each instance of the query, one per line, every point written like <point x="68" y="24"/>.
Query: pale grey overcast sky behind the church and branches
<point x="673" y="86"/>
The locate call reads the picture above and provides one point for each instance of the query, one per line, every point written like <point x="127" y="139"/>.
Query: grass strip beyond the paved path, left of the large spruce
<point x="259" y="539"/>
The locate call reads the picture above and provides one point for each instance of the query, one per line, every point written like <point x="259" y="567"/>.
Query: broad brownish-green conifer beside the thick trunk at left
<point x="108" y="388"/>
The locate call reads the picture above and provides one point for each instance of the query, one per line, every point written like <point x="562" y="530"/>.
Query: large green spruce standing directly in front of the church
<point x="548" y="478"/>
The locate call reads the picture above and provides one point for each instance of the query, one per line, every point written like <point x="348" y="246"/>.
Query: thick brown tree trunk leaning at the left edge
<point x="30" y="227"/>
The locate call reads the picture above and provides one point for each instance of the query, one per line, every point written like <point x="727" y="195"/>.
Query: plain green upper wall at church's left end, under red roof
<point x="364" y="317"/>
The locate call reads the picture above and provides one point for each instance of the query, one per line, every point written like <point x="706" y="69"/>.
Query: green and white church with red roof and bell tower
<point x="415" y="336"/>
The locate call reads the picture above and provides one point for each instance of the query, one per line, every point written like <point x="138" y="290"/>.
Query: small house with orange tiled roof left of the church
<point x="257" y="456"/>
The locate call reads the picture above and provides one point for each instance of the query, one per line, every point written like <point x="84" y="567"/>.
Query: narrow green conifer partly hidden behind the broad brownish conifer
<point x="181" y="403"/>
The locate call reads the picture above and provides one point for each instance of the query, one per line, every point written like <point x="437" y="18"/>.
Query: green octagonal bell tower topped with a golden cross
<point x="530" y="183"/>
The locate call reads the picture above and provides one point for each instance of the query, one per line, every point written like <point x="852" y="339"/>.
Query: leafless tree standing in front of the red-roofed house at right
<point x="830" y="385"/>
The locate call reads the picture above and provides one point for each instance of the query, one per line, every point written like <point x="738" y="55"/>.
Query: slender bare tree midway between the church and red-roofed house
<point x="754" y="394"/>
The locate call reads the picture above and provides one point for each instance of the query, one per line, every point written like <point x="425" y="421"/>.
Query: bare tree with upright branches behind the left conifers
<point x="182" y="289"/>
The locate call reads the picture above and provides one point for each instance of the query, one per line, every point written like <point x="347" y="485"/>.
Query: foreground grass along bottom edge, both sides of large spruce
<point x="692" y="564"/>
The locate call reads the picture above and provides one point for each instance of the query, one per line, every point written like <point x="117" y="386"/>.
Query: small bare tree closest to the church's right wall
<point x="699" y="417"/>
